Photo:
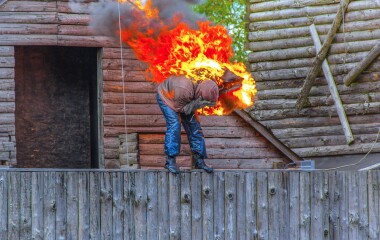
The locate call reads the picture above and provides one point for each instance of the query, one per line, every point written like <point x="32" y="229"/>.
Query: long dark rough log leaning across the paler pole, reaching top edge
<point x="322" y="53"/>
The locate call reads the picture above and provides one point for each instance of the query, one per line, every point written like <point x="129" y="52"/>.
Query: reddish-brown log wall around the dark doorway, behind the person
<point x="232" y="143"/>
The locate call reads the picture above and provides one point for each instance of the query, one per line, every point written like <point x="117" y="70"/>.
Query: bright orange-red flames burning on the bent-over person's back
<point x="178" y="49"/>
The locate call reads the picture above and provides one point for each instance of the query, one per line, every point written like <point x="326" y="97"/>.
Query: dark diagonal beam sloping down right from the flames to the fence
<point x="291" y="156"/>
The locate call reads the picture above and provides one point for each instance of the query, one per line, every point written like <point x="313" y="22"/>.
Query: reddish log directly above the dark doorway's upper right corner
<point x="85" y="41"/>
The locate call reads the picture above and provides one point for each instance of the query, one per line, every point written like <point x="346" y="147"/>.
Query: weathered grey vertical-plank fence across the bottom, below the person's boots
<point x="193" y="205"/>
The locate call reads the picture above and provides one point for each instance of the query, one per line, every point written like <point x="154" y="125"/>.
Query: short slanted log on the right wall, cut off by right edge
<point x="356" y="71"/>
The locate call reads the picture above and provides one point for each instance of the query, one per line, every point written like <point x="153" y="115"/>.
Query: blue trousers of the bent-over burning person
<point x="173" y="131"/>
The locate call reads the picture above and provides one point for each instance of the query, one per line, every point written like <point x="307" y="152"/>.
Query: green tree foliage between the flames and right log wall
<point x="232" y="15"/>
